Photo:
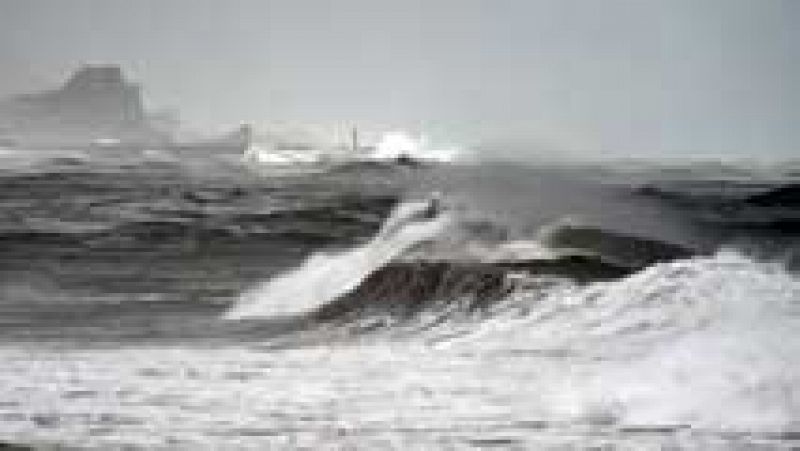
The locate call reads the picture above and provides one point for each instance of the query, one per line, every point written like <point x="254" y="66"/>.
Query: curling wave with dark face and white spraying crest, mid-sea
<point x="426" y="255"/>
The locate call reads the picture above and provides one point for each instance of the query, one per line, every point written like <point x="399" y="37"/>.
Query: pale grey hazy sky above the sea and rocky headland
<point x="621" y="77"/>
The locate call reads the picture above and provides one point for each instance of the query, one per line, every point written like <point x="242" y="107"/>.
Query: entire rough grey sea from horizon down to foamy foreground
<point x="161" y="304"/>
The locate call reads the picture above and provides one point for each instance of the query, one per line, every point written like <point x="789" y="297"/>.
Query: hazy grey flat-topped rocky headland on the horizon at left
<point x="96" y="103"/>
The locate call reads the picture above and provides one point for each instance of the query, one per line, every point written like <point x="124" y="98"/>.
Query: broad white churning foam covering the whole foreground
<point x="574" y="370"/>
